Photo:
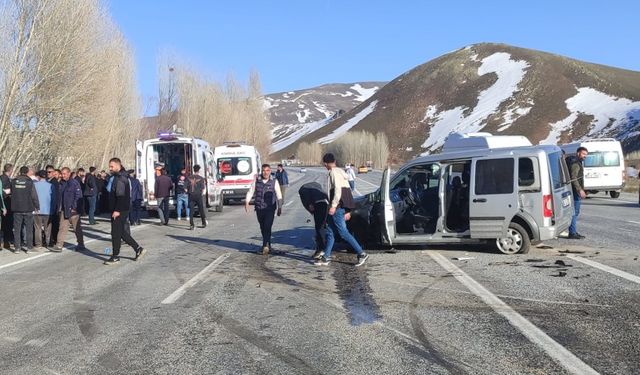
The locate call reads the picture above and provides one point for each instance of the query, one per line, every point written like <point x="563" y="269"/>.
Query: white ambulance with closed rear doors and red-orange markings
<point x="238" y="165"/>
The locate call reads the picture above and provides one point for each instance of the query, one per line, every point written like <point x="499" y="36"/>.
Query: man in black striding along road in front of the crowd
<point x="120" y="204"/>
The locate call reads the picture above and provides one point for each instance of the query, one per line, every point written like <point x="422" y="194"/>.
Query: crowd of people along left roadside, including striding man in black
<point x="39" y="207"/>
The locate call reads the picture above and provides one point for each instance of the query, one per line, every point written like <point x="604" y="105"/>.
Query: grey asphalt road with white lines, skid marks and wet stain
<point x="204" y="302"/>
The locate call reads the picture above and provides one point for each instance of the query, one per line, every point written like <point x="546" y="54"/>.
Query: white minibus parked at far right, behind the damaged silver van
<point x="604" y="167"/>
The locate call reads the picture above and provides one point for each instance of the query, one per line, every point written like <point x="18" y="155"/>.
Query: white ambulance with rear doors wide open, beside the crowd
<point x="174" y="152"/>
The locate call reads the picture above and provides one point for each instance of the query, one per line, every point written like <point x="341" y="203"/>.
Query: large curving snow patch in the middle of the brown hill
<point x="510" y="73"/>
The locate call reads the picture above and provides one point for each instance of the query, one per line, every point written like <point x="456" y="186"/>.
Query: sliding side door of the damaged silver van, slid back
<point x="493" y="196"/>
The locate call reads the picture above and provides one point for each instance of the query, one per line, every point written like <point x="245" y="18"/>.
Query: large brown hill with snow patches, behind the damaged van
<point x="498" y="89"/>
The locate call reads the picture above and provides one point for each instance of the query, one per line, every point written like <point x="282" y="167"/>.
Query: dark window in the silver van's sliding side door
<point x="494" y="176"/>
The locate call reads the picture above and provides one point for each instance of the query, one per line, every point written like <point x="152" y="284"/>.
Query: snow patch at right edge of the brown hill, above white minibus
<point x="609" y="113"/>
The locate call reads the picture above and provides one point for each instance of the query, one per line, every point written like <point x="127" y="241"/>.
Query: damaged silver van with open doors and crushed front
<point x="481" y="188"/>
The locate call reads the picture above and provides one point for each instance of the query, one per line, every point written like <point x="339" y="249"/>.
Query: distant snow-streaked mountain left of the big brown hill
<point x="295" y="114"/>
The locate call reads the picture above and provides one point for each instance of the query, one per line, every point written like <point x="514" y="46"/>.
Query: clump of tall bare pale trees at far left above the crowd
<point x="67" y="92"/>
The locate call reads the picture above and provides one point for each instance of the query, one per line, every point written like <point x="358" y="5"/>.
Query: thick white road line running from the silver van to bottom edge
<point x="559" y="353"/>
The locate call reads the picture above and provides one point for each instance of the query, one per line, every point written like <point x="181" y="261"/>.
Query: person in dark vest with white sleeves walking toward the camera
<point x="268" y="203"/>
